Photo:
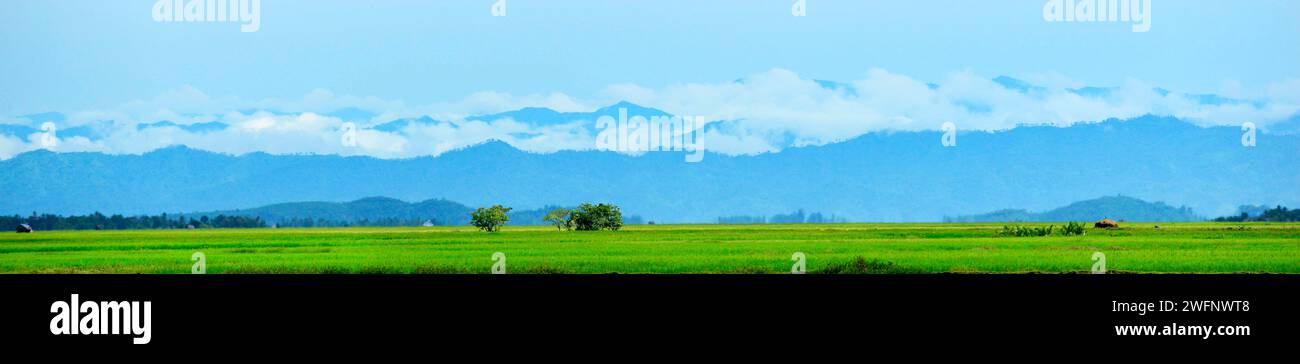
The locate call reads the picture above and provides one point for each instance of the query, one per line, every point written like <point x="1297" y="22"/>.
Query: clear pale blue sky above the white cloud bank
<point x="89" y="54"/>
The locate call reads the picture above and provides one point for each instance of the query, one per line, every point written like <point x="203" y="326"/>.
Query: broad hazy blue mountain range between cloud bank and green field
<point x="876" y="177"/>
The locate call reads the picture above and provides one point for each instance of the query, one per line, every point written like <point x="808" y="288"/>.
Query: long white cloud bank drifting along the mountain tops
<point x="768" y="112"/>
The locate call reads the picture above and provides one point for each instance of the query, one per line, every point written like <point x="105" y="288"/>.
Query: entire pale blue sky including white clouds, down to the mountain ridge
<point x="109" y="68"/>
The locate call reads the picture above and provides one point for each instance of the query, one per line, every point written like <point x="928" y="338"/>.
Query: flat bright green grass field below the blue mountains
<point x="1194" y="248"/>
